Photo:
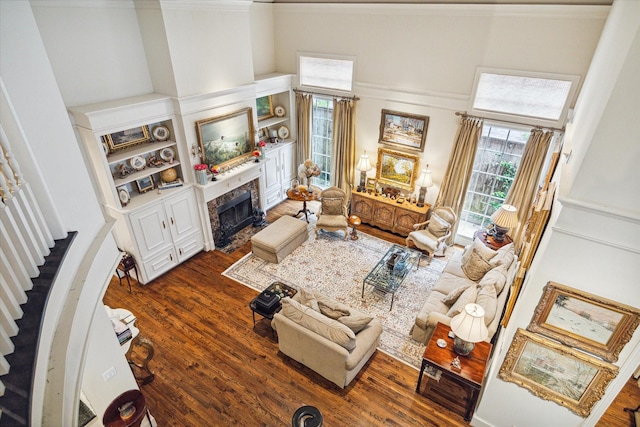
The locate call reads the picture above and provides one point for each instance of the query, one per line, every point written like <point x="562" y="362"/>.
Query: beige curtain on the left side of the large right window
<point x="454" y="183"/>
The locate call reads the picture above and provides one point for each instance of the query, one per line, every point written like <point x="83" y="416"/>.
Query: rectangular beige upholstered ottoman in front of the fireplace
<point x="279" y="239"/>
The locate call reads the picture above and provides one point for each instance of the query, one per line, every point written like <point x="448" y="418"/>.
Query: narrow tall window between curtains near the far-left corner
<point x="321" y="135"/>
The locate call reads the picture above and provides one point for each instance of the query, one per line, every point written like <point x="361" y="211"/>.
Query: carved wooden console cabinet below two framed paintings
<point x="386" y="213"/>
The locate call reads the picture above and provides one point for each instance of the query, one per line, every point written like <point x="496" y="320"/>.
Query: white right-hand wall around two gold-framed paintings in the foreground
<point x="593" y="240"/>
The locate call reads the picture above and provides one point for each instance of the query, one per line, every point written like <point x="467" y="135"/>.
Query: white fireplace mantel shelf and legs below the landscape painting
<point x="226" y="182"/>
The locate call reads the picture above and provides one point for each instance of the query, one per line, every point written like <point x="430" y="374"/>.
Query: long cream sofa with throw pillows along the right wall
<point x="478" y="274"/>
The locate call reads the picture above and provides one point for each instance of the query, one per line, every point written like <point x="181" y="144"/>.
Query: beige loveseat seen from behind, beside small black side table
<point x="321" y="334"/>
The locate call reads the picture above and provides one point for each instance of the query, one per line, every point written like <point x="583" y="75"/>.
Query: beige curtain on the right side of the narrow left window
<point x="343" y="144"/>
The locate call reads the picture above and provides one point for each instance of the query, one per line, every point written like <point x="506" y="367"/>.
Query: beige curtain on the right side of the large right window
<point x="525" y="184"/>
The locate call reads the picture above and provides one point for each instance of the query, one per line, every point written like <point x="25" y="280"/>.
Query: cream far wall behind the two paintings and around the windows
<point x="422" y="59"/>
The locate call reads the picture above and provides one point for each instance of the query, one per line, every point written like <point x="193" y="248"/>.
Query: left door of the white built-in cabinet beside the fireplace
<point x="151" y="230"/>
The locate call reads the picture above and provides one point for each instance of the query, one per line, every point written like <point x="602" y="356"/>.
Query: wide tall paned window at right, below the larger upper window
<point x="496" y="163"/>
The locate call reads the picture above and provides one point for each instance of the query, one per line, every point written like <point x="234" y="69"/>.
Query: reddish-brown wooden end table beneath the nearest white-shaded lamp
<point x="472" y="366"/>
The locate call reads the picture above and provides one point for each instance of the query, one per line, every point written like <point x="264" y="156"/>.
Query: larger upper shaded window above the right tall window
<point x="531" y="98"/>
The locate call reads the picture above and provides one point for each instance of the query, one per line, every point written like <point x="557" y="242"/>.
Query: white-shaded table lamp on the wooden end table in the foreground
<point x="469" y="328"/>
